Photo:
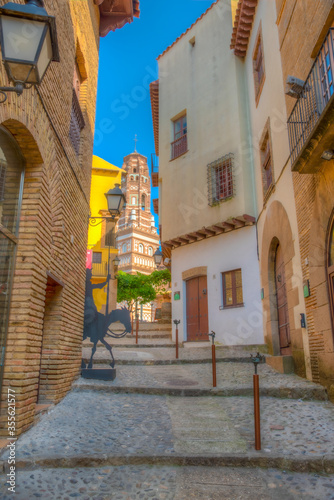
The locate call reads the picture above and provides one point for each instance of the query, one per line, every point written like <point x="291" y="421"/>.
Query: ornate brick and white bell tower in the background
<point x="137" y="237"/>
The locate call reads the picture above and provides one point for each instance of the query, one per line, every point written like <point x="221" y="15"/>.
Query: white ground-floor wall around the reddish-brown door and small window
<point x="235" y="250"/>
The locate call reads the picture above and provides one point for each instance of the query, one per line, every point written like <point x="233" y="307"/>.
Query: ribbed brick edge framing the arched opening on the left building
<point x="26" y="327"/>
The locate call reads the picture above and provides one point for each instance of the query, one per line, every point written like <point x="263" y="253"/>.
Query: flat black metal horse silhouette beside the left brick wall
<point x="97" y="325"/>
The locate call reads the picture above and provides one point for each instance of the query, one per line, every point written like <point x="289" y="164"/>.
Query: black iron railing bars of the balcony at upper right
<point x="316" y="93"/>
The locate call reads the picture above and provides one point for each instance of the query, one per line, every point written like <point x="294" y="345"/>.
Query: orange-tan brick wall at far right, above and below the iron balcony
<point x="302" y="26"/>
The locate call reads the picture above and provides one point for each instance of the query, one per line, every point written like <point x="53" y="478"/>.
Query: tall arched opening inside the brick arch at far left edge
<point x="11" y="188"/>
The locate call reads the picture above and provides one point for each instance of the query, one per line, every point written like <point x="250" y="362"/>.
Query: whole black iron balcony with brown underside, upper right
<point x="310" y="118"/>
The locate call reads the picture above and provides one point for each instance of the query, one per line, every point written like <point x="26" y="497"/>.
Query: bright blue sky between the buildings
<point x="127" y="66"/>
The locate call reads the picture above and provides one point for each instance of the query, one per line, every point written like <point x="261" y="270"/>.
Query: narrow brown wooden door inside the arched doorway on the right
<point x="282" y="304"/>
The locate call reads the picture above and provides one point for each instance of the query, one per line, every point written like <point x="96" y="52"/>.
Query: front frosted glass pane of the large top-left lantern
<point x="21" y="38"/>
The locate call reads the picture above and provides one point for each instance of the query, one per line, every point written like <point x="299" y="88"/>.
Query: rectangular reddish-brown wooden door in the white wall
<point x="197" y="309"/>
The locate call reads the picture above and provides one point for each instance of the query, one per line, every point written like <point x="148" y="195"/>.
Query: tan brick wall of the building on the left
<point x="43" y="352"/>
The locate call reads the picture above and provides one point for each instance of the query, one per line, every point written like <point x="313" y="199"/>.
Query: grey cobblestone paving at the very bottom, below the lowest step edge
<point x="172" y="482"/>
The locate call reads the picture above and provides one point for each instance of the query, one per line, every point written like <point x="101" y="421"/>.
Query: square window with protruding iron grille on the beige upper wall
<point x="221" y="180"/>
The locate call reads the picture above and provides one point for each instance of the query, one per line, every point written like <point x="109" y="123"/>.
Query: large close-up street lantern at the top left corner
<point x="28" y="43"/>
